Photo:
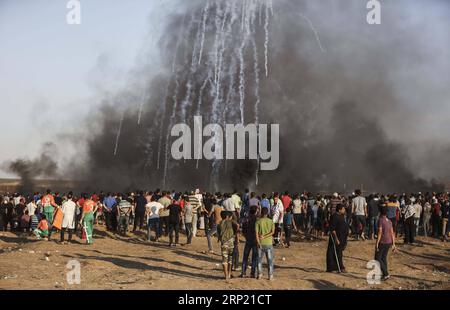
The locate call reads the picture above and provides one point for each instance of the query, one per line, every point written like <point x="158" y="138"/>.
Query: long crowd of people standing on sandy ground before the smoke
<point x="265" y="221"/>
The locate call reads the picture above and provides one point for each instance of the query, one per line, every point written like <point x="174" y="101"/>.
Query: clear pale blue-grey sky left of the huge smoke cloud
<point x="49" y="69"/>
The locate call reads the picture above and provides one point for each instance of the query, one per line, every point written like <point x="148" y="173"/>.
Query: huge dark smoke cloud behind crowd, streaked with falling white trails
<point x="335" y="86"/>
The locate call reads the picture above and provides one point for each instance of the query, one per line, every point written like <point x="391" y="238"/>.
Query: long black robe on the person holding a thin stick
<point x="334" y="251"/>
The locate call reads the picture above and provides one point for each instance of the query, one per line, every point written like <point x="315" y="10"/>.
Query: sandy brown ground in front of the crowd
<point x="131" y="263"/>
